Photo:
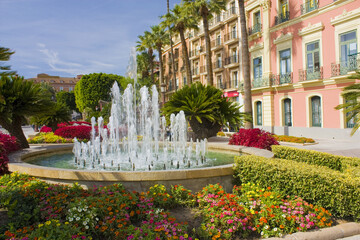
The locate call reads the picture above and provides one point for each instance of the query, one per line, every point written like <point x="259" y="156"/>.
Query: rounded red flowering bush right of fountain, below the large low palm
<point x="253" y="138"/>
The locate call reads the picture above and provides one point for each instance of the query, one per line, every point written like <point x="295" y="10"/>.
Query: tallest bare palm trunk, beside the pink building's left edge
<point x="245" y="64"/>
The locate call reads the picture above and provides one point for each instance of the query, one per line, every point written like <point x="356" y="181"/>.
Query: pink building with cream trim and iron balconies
<point x="301" y="55"/>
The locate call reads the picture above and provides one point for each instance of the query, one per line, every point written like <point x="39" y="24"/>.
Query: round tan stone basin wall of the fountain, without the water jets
<point x="194" y="179"/>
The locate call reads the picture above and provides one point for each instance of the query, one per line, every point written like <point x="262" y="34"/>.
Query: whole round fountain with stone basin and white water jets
<point x="134" y="149"/>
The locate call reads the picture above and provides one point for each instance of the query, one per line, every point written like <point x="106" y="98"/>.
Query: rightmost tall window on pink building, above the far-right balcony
<point x="348" y="52"/>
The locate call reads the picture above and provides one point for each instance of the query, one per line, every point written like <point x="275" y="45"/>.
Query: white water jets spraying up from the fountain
<point x="138" y="141"/>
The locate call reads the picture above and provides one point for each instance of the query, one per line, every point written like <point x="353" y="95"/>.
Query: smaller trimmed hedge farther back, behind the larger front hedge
<point x="308" y="156"/>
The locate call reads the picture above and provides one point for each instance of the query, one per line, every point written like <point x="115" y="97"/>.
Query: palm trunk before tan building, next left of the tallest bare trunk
<point x="210" y="77"/>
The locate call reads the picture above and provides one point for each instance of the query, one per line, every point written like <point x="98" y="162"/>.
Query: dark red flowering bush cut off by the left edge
<point x="8" y="144"/>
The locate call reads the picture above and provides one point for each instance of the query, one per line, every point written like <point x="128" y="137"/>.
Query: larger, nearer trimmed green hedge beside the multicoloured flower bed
<point x="320" y="185"/>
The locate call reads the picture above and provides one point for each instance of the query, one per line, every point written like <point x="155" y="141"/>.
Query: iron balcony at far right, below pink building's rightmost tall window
<point x="352" y="63"/>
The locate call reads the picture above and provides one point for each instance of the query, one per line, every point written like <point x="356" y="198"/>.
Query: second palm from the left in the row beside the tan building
<point x="160" y="37"/>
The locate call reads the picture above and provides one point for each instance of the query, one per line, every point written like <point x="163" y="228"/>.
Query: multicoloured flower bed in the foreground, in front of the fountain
<point x="113" y="213"/>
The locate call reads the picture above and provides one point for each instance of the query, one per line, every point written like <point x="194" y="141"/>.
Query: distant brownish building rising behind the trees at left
<point x="58" y="83"/>
